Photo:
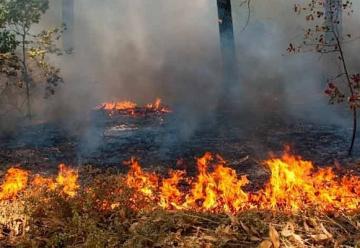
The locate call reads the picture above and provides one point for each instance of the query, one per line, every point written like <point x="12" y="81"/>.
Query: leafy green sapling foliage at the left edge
<point x="25" y="55"/>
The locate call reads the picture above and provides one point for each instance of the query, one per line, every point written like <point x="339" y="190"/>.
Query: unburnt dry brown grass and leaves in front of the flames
<point x="47" y="219"/>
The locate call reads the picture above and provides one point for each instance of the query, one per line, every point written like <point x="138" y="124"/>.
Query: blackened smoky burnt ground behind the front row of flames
<point x="159" y="143"/>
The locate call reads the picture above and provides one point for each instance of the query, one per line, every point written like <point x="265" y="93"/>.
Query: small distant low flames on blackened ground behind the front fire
<point x="132" y="109"/>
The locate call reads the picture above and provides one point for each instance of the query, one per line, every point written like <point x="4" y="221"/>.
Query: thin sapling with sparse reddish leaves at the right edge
<point x="326" y="38"/>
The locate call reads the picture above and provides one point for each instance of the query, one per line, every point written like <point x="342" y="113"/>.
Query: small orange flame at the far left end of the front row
<point x="15" y="181"/>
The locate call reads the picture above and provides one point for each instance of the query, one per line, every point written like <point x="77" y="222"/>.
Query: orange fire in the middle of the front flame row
<point x="216" y="188"/>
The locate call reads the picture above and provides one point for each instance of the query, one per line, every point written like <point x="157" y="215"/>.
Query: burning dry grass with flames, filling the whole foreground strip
<point x="299" y="206"/>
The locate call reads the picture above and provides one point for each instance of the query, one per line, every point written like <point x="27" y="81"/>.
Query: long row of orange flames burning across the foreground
<point x="294" y="185"/>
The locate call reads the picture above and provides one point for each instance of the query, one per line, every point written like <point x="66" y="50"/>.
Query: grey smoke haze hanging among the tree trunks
<point x="139" y="50"/>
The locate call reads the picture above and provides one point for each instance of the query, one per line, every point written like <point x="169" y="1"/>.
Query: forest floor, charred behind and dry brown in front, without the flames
<point x="98" y="151"/>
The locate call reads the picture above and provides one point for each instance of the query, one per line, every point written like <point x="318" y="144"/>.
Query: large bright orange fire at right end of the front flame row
<point x="296" y="184"/>
